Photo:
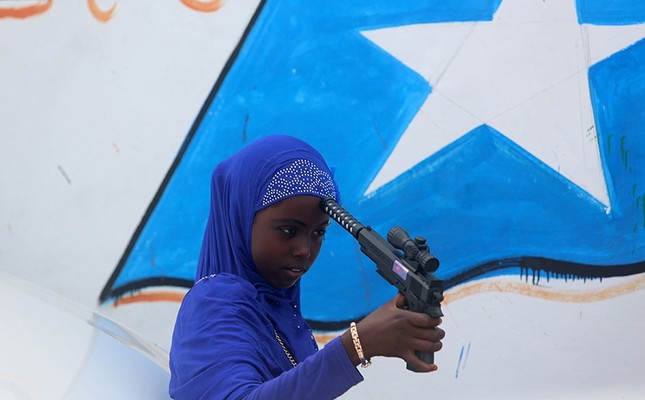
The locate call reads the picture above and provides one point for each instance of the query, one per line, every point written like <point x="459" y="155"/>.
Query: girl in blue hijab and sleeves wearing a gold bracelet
<point x="239" y="332"/>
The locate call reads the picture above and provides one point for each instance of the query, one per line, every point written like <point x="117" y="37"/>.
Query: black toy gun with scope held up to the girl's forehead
<point x="405" y="263"/>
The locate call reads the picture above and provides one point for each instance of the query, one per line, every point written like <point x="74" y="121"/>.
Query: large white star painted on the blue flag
<point x="524" y="74"/>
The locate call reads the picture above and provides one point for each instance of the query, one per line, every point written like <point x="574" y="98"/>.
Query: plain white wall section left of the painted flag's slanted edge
<point x="92" y="116"/>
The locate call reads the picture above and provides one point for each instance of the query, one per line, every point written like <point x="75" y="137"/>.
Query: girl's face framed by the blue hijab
<point x="286" y="239"/>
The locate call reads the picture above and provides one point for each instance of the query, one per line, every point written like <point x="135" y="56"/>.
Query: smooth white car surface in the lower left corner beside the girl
<point x="52" y="348"/>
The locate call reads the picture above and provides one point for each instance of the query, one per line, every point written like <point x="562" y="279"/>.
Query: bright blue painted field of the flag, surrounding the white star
<point x="486" y="206"/>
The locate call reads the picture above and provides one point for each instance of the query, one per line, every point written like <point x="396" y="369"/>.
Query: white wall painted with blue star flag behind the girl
<point x="505" y="132"/>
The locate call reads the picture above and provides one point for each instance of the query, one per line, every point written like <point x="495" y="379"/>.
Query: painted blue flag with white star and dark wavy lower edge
<point x="506" y="134"/>
